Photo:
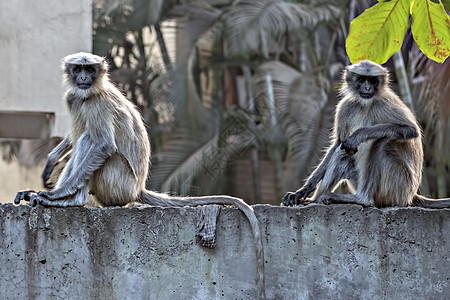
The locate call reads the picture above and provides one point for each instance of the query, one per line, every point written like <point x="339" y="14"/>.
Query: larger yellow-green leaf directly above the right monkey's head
<point x="378" y="32"/>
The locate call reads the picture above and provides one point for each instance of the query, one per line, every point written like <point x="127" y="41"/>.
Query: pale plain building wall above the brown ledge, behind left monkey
<point x="34" y="36"/>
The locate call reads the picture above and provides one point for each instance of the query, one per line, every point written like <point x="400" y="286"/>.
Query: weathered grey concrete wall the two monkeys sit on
<point x="315" y="252"/>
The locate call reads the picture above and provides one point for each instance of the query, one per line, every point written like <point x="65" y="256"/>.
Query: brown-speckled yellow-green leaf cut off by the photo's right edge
<point x="430" y="26"/>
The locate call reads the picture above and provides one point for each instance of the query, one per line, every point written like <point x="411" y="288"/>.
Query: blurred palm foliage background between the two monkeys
<point x="220" y="82"/>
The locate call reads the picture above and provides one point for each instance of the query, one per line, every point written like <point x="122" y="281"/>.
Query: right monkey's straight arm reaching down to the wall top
<point x="293" y="198"/>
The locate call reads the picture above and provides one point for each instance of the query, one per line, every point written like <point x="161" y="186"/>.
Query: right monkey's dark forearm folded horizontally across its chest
<point x="379" y="131"/>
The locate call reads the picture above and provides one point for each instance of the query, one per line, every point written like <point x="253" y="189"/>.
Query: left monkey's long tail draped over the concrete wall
<point x="163" y="200"/>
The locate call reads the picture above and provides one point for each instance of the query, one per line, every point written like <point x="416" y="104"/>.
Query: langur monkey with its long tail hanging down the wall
<point x="111" y="152"/>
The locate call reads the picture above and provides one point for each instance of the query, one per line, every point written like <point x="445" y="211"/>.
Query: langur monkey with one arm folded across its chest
<point x="376" y="147"/>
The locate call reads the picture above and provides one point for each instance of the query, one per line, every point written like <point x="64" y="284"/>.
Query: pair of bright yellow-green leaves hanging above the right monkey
<point x="378" y="32"/>
